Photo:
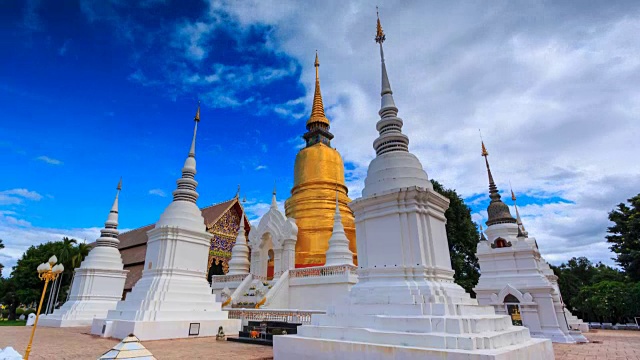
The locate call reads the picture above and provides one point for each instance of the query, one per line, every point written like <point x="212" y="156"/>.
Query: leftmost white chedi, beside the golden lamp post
<point x="98" y="282"/>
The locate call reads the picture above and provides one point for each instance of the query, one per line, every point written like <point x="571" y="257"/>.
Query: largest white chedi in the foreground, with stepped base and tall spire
<point x="405" y="304"/>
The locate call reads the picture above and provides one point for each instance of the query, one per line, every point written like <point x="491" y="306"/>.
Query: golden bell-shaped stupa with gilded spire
<point x="318" y="173"/>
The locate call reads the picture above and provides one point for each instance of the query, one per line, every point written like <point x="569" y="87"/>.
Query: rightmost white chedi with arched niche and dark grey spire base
<point x="515" y="279"/>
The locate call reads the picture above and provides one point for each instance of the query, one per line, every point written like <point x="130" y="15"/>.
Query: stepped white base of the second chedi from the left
<point x="165" y="304"/>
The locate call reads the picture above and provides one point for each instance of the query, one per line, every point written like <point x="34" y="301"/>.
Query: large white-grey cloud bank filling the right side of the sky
<point x="553" y="96"/>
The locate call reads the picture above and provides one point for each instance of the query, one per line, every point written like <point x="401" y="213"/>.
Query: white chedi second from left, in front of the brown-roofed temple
<point x="173" y="298"/>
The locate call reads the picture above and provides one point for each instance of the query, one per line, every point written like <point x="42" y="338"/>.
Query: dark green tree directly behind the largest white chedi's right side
<point x="463" y="236"/>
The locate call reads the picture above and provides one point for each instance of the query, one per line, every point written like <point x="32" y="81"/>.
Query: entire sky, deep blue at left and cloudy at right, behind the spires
<point x="91" y="91"/>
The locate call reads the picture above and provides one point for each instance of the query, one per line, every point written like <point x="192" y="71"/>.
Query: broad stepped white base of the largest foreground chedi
<point x="416" y="328"/>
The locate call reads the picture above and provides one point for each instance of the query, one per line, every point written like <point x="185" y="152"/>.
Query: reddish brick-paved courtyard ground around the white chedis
<point x="77" y="343"/>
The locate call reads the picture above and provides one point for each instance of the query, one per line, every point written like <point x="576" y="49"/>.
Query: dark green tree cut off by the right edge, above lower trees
<point x="625" y="236"/>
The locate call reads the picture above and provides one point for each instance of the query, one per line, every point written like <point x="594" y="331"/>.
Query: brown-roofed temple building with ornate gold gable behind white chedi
<point x="222" y="221"/>
